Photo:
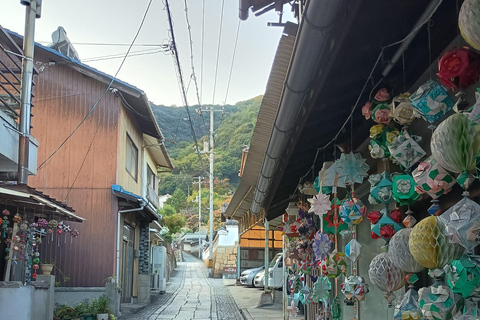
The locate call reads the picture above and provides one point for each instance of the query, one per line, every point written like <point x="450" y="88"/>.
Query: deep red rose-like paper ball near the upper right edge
<point x="459" y="68"/>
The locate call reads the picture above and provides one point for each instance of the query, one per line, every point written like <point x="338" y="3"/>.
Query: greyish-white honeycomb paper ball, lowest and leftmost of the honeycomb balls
<point x="386" y="276"/>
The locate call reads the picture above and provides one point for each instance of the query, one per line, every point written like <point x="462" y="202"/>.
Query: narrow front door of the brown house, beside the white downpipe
<point x="127" y="275"/>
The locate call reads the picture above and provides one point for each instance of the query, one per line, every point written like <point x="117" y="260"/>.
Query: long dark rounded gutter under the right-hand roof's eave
<point x="312" y="43"/>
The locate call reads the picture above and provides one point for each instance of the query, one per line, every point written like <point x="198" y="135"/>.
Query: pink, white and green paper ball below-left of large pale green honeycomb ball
<point x="432" y="179"/>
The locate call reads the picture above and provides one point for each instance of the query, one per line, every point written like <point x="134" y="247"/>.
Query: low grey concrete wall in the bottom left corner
<point x="33" y="302"/>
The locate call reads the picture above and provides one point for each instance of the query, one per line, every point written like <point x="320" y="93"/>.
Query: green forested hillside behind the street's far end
<point x="233" y="131"/>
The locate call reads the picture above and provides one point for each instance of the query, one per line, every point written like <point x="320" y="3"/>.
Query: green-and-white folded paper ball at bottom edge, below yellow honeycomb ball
<point x="438" y="302"/>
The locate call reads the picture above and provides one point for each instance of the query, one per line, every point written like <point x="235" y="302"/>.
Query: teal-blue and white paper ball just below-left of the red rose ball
<point x="431" y="101"/>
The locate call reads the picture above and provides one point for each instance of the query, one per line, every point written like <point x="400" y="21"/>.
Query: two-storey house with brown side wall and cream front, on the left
<point x="99" y="151"/>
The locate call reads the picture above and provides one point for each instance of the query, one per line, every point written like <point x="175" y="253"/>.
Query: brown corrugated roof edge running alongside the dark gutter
<point x="243" y="196"/>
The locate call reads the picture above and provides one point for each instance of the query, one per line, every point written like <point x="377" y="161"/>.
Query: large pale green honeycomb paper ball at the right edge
<point x="455" y="143"/>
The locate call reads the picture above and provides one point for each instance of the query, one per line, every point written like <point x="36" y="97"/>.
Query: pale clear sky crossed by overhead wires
<point x="116" y="22"/>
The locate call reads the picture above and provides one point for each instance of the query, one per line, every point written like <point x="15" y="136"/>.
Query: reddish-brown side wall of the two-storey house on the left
<point x="62" y="99"/>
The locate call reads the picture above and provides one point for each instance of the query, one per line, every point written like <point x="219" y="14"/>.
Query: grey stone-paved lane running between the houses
<point x="192" y="295"/>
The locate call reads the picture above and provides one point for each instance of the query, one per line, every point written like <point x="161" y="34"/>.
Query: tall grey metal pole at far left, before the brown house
<point x="32" y="11"/>
